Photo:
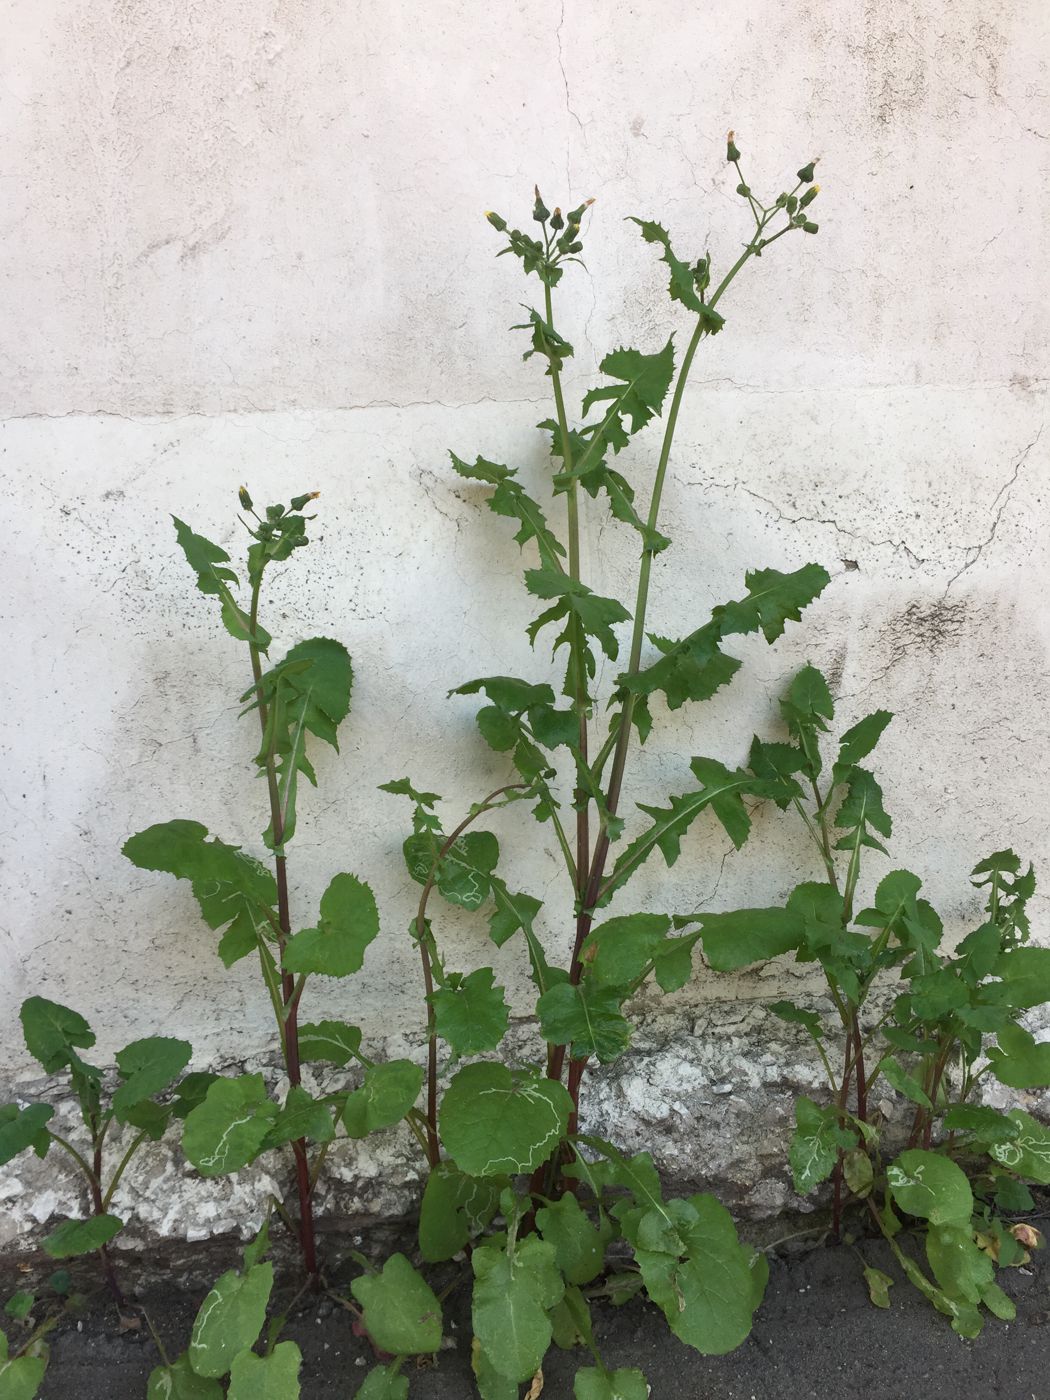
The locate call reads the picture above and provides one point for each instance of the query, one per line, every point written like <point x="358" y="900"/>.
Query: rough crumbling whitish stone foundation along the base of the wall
<point x="712" y="1100"/>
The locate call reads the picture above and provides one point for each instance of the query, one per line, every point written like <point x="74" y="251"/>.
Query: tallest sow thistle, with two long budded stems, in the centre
<point x="505" y="1146"/>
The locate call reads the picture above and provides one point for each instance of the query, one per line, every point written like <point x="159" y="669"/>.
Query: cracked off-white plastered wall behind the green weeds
<point x="244" y="243"/>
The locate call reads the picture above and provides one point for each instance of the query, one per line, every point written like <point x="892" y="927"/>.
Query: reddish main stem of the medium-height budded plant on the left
<point x="288" y="1025"/>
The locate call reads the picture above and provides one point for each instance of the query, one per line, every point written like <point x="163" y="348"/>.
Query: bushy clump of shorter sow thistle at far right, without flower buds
<point x="911" y="1013"/>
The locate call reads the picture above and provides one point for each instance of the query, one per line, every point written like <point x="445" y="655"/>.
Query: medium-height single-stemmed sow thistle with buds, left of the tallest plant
<point x="300" y="699"/>
